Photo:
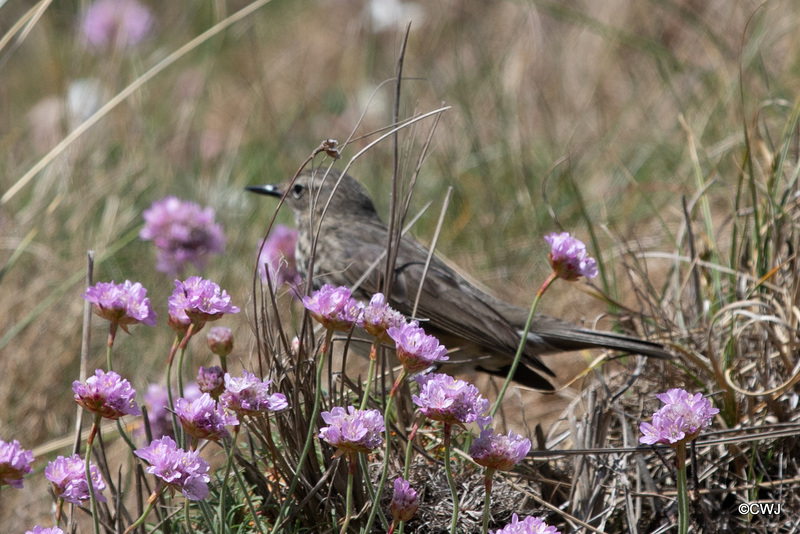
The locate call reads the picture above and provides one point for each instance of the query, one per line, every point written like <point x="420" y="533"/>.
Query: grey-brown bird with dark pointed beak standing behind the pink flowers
<point x="479" y="329"/>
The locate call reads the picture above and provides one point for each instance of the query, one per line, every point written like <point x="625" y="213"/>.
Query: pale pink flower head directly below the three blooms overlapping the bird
<point x="353" y="430"/>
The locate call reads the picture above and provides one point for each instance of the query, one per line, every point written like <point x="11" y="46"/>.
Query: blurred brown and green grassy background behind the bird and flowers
<point x="564" y="114"/>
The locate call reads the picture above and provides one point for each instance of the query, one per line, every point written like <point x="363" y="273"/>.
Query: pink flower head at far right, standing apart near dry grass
<point x="681" y="418"/>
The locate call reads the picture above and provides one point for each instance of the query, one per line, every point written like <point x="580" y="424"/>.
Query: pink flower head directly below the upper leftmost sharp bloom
<point x="106" y="394"/>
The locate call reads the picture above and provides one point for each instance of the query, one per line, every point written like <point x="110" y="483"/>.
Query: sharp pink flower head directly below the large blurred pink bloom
<point x="199" y="300"/>
